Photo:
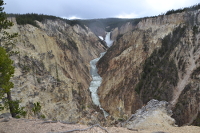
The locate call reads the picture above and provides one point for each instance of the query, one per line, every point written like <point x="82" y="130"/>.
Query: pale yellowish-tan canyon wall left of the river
<point x="52" y="68"/>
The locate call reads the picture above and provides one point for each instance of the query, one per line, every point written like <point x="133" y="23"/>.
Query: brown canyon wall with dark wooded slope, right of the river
<point x="158" y="59"/>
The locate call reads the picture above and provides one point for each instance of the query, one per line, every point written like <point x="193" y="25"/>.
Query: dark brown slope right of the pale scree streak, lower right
<point x="186" y="111"/>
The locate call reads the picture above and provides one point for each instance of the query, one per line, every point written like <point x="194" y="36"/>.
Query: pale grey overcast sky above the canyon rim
<point x="88" y="9"/>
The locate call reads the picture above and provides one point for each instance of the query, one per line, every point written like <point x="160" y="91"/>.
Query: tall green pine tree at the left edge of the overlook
<point x="6" y="67"/>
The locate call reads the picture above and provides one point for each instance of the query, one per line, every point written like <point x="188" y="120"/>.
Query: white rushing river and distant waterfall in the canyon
<point x="96" y="78"/>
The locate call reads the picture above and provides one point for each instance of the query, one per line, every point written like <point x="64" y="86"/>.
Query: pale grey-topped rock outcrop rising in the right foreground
<point x="154" y="114"/>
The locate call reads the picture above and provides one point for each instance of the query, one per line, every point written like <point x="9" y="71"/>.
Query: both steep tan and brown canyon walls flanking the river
<point x="150" y="58"/>
